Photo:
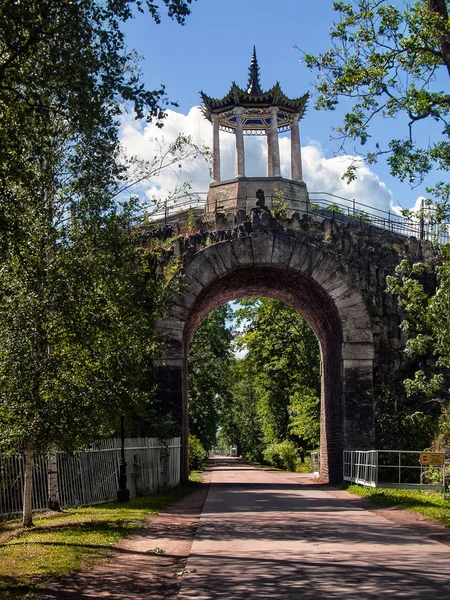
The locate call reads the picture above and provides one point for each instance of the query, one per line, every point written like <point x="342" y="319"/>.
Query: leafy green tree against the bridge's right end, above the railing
<point x="423" y="292"/>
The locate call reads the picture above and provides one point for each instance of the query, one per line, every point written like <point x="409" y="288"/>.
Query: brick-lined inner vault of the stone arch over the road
<point x="306" y="297"/>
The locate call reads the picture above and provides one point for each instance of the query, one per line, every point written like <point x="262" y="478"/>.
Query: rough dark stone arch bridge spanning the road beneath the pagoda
<point x="332" y="273"/>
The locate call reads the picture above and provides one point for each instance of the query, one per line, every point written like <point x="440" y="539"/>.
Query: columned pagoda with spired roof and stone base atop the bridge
<point x="256" y="112"/>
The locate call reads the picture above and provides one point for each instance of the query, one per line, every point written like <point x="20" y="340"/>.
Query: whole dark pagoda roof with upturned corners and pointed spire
<point x="255" y="103"/>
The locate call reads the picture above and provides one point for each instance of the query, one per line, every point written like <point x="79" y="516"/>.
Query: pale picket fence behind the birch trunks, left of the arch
<point x="91" y="477"/>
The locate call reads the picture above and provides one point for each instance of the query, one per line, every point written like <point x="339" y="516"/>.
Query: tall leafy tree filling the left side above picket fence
<point x="77" y="296"/>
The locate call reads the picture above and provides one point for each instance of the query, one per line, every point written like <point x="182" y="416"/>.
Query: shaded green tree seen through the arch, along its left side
<point x="210" y="374"/>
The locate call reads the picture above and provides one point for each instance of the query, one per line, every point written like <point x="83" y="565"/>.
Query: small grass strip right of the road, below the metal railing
<point x="429" y="504"/>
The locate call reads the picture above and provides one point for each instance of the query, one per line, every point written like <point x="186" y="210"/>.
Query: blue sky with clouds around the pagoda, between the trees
<point x="214" y="48"/>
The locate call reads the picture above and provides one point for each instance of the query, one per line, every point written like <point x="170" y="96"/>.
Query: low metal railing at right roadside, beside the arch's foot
<point x="393" y="469"/>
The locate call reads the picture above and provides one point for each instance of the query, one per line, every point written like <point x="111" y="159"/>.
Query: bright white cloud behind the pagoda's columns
<point x="320" y="174"/>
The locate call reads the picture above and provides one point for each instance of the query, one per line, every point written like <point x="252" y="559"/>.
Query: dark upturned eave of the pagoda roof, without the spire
<point x="238" y="97"/>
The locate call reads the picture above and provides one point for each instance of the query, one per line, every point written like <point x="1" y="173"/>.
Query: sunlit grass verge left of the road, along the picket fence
<point x="60" y="543"/>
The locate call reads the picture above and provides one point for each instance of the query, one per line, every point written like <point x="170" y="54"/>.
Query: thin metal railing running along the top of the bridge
<point x="321" y="205"/>
